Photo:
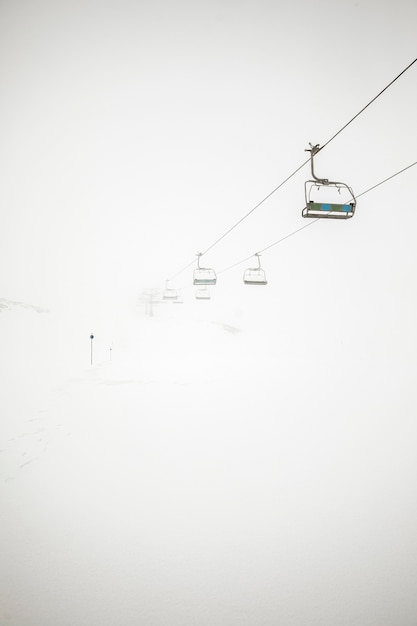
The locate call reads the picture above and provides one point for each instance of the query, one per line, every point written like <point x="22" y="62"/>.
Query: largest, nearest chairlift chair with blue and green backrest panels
<point x="340" y="206"/>
